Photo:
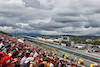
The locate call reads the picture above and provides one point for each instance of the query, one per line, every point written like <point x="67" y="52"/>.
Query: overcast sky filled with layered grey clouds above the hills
<point x="74" y="17"/>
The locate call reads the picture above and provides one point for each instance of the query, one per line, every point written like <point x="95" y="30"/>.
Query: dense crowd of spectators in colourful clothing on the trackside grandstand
<point x="16" y="54"/>
